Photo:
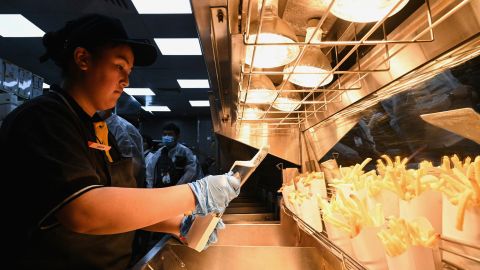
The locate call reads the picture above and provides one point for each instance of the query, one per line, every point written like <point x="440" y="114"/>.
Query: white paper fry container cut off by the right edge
<point x="471" y="223"/>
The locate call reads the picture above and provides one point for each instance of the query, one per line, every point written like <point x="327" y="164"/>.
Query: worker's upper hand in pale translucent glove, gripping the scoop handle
<point x="214" y="192"/>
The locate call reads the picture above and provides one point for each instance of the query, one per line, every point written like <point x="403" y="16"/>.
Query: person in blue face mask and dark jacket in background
<point x="174" y="163"/>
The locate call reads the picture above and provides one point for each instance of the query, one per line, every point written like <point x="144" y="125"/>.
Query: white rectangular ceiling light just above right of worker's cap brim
<point x="178" y="46"/>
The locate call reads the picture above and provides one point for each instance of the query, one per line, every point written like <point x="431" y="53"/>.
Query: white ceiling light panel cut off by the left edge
<point x="15" y="25"/>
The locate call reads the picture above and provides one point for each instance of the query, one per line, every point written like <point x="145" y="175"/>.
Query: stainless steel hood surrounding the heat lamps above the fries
<point x="378" y="58"/>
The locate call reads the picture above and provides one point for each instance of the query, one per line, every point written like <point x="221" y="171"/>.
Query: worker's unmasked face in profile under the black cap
<point x="106" y="75"/>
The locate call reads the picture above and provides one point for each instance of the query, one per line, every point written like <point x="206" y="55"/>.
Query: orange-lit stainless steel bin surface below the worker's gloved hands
<point x="252" y="246"/>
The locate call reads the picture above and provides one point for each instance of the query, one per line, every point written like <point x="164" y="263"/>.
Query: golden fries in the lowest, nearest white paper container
<point x="400" y="235"/>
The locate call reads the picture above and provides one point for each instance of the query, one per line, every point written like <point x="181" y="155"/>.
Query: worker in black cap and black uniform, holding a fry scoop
<point x="77" y="205"/>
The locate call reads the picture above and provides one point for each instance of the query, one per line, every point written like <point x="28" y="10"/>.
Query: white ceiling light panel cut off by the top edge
<point x="162" y="6"/>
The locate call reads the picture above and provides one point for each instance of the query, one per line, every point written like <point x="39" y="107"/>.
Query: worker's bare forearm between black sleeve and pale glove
<point x="110" y="210"/>
